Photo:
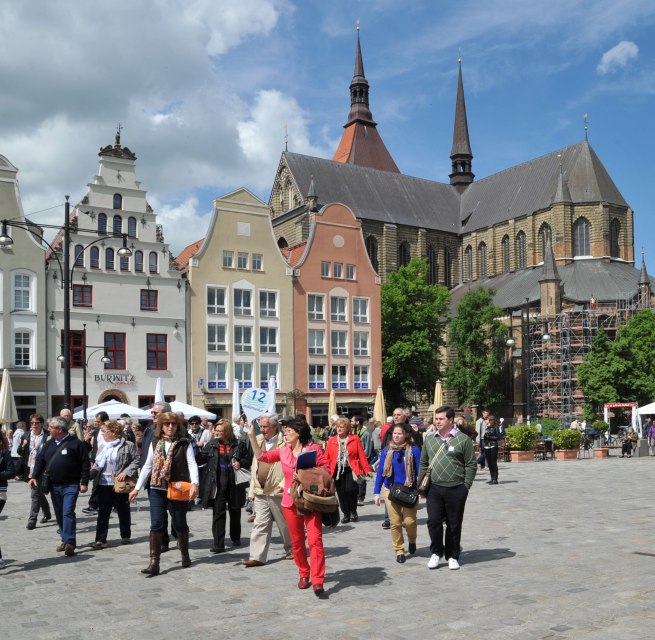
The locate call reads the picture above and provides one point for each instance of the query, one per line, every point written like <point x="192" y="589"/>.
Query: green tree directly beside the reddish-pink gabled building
<point x="413" y="313"/>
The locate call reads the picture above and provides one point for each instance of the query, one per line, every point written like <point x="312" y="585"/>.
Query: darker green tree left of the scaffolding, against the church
<point x="478" y="337"/>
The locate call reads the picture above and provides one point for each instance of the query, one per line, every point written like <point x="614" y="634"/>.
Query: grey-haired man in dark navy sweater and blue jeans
<point x="66" y="460"/>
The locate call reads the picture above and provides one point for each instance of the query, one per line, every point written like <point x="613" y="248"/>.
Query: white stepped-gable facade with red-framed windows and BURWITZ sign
<point x="134" y="307"/>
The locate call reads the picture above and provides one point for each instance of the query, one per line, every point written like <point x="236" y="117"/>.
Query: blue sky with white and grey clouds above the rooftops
<point x="207" y="92"/>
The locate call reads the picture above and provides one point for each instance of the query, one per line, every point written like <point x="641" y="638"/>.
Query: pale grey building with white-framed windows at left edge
<point x="22" y="301"/>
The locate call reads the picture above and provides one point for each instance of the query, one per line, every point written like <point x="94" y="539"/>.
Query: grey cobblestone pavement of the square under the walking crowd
<point x="556" y="550"/>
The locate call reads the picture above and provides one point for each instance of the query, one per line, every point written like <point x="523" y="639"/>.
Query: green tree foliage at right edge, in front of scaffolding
<point x="620" y="371"/>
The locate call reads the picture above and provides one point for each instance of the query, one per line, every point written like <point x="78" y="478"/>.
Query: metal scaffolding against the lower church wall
<point x="559" y="344"/>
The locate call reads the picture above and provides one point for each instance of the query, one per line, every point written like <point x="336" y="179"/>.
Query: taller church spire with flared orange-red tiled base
<point x="360" y="142"/>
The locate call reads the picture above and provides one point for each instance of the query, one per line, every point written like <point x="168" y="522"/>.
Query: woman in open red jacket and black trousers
<point x="347" y="462"/>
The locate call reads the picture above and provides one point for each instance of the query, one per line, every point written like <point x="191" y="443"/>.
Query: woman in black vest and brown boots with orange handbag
<point x="170" y="459"/>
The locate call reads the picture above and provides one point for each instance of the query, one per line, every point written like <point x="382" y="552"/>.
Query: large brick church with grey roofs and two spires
<point x="552" y="236"/>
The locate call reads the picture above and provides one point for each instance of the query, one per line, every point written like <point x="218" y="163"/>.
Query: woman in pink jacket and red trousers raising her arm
<point x="298" y="438"/>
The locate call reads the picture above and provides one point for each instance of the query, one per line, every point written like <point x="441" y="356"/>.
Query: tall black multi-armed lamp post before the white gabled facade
<point x="6" y="241"/>
